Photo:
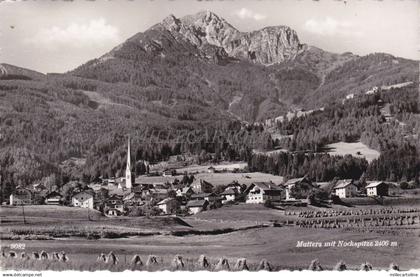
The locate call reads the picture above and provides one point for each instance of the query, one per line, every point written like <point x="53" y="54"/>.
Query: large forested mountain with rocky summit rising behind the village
<point x="195" y="76"/>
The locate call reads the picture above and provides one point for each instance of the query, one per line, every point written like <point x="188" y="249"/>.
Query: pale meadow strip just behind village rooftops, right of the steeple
<point x="218" y="178"/>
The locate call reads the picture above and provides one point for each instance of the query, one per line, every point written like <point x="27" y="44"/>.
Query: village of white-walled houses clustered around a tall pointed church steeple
<point x="186" y="194"/>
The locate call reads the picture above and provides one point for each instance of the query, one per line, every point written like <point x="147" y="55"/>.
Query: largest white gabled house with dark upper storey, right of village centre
<point x="261" y="192"/>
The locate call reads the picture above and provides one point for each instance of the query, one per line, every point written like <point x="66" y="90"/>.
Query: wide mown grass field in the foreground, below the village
<point x="247" y="237"/>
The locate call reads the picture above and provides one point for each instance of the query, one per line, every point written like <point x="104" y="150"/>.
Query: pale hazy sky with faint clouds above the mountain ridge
<point x="56" y="36"/>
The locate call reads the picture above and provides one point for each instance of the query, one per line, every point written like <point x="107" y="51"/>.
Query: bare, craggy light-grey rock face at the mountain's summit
<point x="215" y="36"/>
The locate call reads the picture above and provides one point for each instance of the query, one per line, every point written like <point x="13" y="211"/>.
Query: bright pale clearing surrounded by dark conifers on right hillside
<point x="353" y="148"/>
